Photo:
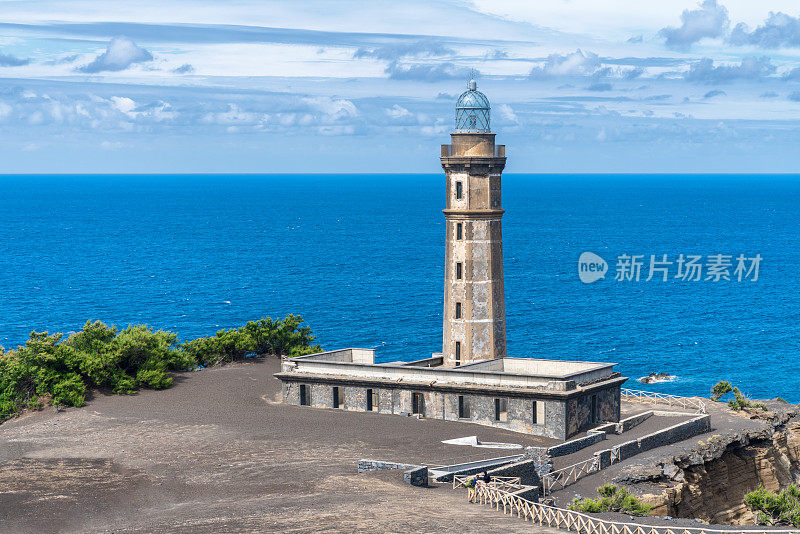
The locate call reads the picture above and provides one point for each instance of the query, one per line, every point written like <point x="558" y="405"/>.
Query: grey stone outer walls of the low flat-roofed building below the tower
<point x="556" y="419"/>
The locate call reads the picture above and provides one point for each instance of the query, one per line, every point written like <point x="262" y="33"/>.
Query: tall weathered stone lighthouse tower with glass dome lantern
<point x="474" y="300"/>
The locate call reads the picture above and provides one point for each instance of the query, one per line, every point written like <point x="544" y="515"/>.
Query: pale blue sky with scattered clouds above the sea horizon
<point x="357" y="86"/>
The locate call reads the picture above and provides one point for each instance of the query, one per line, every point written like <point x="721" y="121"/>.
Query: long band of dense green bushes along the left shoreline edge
<point x="50" y="369"/>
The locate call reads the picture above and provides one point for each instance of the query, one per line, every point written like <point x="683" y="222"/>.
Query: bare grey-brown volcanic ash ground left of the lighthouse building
<point x="217" y="453"/>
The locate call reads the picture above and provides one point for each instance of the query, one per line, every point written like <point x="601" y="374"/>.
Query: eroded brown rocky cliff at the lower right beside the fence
<point x="709" y="482"/>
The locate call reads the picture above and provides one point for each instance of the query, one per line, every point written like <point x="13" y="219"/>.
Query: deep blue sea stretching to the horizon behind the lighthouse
<point x="361" y="257"/>
